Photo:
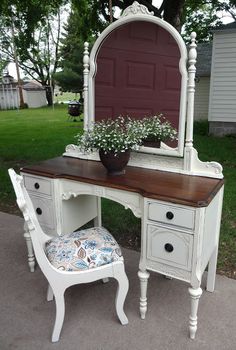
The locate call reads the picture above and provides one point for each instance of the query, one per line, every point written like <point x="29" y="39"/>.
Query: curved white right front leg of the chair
<point x="122" y="290"/>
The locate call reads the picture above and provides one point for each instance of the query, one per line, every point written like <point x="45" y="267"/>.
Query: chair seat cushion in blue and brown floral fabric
<point x="82" y="250"/>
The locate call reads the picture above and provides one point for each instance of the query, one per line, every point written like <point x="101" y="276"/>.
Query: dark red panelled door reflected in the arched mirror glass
<point x="138" y="74"/>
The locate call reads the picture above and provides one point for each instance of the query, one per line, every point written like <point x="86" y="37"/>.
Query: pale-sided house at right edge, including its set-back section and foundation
<point x="215" y="97"/>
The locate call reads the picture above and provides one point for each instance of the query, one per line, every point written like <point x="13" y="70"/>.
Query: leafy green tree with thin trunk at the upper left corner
<point x="29" y="35"/>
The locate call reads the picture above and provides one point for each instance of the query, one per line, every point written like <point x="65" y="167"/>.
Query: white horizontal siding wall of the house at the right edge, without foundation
<point x="222" y="106"/>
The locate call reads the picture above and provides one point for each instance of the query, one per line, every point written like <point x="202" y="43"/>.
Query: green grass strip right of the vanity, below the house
<point x="223" y="150"/>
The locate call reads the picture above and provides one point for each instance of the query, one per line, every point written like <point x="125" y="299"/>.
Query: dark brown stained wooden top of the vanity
<point x="194" y="191"/>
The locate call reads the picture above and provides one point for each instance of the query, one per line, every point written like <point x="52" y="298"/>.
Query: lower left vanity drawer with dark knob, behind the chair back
<point x="44" y="211"/>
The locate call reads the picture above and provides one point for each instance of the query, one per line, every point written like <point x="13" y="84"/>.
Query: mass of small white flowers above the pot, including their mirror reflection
<point x="123" y="133"/>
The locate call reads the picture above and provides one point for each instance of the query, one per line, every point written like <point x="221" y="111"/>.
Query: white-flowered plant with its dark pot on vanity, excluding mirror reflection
<point x="114" y="139"/>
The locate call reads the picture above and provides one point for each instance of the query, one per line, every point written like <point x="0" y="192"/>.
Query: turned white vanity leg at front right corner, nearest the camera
<point x="195" y="294"/>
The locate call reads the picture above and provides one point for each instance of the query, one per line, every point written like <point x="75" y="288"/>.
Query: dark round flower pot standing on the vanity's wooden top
<point x="115" y="164"/>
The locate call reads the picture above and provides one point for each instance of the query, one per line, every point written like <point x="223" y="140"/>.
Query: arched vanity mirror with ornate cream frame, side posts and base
<point x="139" y="67"/>
